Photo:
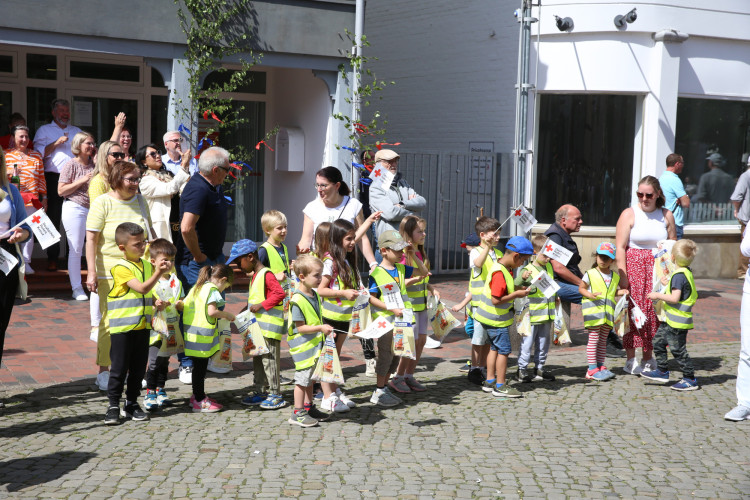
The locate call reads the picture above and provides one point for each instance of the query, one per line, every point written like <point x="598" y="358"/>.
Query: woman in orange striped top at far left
<point x="33" y="185"/>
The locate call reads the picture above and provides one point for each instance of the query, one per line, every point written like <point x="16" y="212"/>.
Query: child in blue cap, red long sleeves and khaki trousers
<point x="266" y="301"/>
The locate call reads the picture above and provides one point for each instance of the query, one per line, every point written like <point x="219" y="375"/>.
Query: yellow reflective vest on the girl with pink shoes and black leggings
<point x="201" y="332"/>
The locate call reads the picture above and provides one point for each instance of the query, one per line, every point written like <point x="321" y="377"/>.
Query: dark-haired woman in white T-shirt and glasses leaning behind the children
<point x="333" y="203"/>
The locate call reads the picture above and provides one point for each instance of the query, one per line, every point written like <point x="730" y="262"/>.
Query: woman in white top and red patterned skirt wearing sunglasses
<point x="638" y="231"/>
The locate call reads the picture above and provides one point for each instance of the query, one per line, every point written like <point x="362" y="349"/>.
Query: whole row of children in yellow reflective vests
<point x="312" y="298"/>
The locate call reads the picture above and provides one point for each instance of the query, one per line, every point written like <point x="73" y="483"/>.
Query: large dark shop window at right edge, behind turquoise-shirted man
<point x="718" y="128"/>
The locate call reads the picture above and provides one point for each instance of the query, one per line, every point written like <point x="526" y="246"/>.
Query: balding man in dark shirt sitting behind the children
<point x="568" y="220"/>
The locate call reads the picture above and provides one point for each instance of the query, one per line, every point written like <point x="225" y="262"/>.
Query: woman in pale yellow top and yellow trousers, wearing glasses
<point x="121" y="204"/>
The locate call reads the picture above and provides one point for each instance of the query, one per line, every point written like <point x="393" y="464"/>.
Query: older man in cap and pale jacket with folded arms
<point x="398" y="201"/>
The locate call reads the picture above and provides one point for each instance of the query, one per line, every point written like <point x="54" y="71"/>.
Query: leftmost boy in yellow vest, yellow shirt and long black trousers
<point x="129" y="306"/>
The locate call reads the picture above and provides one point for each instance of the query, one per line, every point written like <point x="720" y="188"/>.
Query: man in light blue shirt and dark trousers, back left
<point x="53" y="143"/>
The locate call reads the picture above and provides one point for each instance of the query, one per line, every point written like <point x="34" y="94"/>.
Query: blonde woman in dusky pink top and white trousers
<point x="73" y="186"/>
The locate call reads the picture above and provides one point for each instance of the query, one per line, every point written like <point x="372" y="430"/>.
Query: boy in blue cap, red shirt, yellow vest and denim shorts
<point x="495" y="313"/>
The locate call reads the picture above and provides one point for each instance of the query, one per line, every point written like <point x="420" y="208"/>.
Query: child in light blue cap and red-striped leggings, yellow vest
<point x="598" y="300"/>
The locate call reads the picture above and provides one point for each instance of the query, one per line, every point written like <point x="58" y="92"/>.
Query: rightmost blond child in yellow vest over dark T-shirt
<point x="679" y="299"/>
